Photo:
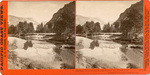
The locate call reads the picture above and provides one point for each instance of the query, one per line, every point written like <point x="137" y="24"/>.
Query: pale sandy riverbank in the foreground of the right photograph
<point x="107" y="55"/>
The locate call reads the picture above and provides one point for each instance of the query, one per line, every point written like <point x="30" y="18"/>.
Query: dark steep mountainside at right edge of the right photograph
<point x="131" y="21"/>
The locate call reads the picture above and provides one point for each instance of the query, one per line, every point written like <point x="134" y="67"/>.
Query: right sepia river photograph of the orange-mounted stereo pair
<point x="109" y="34"/>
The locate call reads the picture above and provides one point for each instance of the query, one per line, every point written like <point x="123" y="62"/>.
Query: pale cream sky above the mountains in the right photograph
<point x="107" y="11"/>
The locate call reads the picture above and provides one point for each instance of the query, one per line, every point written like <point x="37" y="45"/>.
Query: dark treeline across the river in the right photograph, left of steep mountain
<point x="91" y="27"/>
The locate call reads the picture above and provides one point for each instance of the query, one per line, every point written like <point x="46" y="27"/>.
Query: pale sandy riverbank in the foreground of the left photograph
<point x="40" y="56"/>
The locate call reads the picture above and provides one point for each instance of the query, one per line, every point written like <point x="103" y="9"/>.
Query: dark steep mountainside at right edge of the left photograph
<point x="63" y="20"/>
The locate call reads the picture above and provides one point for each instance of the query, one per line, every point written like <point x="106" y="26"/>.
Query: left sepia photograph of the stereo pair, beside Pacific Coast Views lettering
<point x="41" y="35"/>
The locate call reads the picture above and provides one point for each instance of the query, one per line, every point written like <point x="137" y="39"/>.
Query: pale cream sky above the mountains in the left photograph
<point x="40" y="11"/>
